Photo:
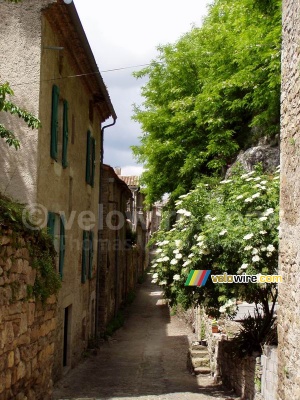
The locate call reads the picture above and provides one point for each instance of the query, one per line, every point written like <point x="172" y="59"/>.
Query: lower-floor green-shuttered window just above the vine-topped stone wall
<point x="56" y="228"/>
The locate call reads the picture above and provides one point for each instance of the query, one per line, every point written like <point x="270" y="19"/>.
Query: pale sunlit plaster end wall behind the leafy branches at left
<point x="20" y="48"/>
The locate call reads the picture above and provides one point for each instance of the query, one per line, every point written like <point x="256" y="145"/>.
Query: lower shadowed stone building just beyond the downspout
<point x="119" y="260"/>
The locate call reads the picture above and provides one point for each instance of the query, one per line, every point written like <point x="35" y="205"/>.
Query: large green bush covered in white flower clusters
<point x="229" y="226"/>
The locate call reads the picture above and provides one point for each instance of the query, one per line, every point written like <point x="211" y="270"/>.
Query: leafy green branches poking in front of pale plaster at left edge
<point x="10" y="107"/>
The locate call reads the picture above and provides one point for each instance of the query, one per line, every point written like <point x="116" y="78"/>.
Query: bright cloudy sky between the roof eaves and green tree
<point x="126" y="34"/>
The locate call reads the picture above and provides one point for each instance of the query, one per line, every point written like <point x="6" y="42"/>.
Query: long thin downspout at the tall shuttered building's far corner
<point x="99" y="233"/>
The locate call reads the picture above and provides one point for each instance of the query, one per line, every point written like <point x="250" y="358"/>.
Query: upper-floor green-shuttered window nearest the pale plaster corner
<point x="59" y="128"/>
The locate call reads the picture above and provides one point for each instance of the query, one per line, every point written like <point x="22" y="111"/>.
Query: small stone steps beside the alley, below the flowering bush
<point x="198" y="361"/>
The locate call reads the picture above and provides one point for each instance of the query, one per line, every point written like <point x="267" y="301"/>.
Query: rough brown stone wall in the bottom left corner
<point x="27" y="328"/>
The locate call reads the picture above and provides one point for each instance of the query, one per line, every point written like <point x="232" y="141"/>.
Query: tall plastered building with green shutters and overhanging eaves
<point x="50" y="66"/>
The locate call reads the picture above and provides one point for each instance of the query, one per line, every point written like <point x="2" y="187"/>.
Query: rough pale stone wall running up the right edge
<point x="289" y="290"/>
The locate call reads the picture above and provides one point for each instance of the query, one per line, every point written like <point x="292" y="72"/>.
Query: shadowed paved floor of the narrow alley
<point x="145" y="360"/>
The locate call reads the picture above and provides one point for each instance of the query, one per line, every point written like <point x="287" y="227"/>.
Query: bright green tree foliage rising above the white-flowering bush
<point x="215" y="91"/>
